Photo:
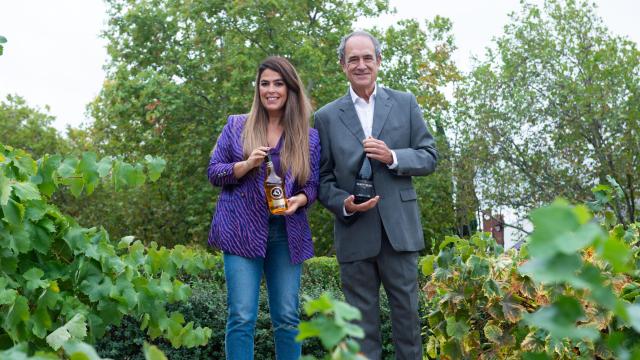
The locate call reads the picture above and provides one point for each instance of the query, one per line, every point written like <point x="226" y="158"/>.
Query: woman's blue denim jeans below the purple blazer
<point x="243" y="277"/>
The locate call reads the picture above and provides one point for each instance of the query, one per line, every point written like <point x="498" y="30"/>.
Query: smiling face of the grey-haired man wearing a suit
<point x="360" y="63"/>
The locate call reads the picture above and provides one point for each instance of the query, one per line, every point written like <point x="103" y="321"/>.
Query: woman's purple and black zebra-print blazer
<point x="240" y="223"/>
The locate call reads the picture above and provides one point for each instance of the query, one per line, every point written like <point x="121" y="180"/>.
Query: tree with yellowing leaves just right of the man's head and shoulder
<point x="418" y="59"/>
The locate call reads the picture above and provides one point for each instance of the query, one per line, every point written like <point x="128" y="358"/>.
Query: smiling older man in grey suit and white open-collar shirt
<point x="376" y="241"/>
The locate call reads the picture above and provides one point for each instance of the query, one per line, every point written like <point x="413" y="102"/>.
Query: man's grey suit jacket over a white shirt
<point x="397" y="121"/>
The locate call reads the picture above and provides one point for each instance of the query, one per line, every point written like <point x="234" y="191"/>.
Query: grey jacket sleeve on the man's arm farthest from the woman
<point x="421" y="158"/>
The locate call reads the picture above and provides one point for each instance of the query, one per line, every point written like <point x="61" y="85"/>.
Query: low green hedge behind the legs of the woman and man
<point x="207" y="307"/>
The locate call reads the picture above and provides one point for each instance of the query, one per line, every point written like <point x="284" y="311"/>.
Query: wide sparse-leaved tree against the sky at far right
<point x="553" y="110"/>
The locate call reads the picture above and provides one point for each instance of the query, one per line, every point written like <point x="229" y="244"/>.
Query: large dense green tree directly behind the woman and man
<point x="177" y="70"/>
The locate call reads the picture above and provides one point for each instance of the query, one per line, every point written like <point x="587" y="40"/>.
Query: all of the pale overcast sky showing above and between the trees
<point x="54" y="55"/>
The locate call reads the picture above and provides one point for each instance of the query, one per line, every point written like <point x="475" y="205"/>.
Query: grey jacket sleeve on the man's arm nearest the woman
<point x="329" y="194"/>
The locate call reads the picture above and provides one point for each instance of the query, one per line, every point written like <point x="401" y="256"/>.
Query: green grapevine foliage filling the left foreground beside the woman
<point x="62" y="283"/>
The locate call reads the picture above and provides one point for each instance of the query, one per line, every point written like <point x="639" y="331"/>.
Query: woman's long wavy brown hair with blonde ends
<point x="294" y="154"/>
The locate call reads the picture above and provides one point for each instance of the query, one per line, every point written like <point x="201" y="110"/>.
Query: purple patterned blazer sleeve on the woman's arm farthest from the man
<point x="220" y="171"/>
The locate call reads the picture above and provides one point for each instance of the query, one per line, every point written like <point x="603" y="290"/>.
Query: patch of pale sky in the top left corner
<point x="53" y="55"/>
